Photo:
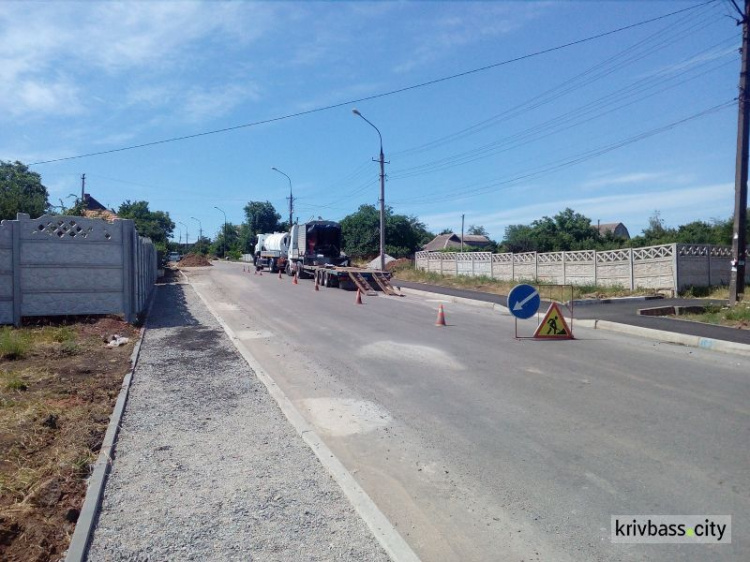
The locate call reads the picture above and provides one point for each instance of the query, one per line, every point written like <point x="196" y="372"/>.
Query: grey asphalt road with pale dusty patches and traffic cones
<point x="478" y="446"/>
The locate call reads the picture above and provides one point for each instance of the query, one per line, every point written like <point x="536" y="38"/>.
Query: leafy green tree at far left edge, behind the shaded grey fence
<point x="21" y="191"/>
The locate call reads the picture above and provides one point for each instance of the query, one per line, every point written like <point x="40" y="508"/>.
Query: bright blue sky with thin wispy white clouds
<point x="610" y="127"/>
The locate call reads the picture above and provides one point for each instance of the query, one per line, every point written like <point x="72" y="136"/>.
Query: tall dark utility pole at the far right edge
<point x="739" y="242"/>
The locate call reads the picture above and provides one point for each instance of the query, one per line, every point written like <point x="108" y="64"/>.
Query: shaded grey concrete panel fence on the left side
<point x="61" y="265"/>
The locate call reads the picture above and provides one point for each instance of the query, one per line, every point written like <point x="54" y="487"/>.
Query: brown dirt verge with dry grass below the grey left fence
<point x="58" y="385"/>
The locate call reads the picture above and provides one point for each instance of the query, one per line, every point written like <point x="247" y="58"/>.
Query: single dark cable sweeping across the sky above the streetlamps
<point x="380" y="95"/>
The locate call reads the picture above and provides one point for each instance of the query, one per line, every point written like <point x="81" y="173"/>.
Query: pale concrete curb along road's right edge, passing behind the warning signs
<point x="710" y="344"/>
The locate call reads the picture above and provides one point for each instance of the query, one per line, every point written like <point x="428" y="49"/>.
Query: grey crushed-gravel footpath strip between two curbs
<point x="206" y="465"/>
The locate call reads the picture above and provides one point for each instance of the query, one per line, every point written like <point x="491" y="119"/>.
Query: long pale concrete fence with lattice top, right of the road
<point x="670" y="266"/>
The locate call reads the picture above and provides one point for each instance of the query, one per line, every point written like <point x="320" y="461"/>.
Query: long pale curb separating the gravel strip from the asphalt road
<point x="385" y="533"/>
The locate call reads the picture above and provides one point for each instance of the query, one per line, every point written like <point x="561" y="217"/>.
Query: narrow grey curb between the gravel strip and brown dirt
<point x="79" y="543"/>
